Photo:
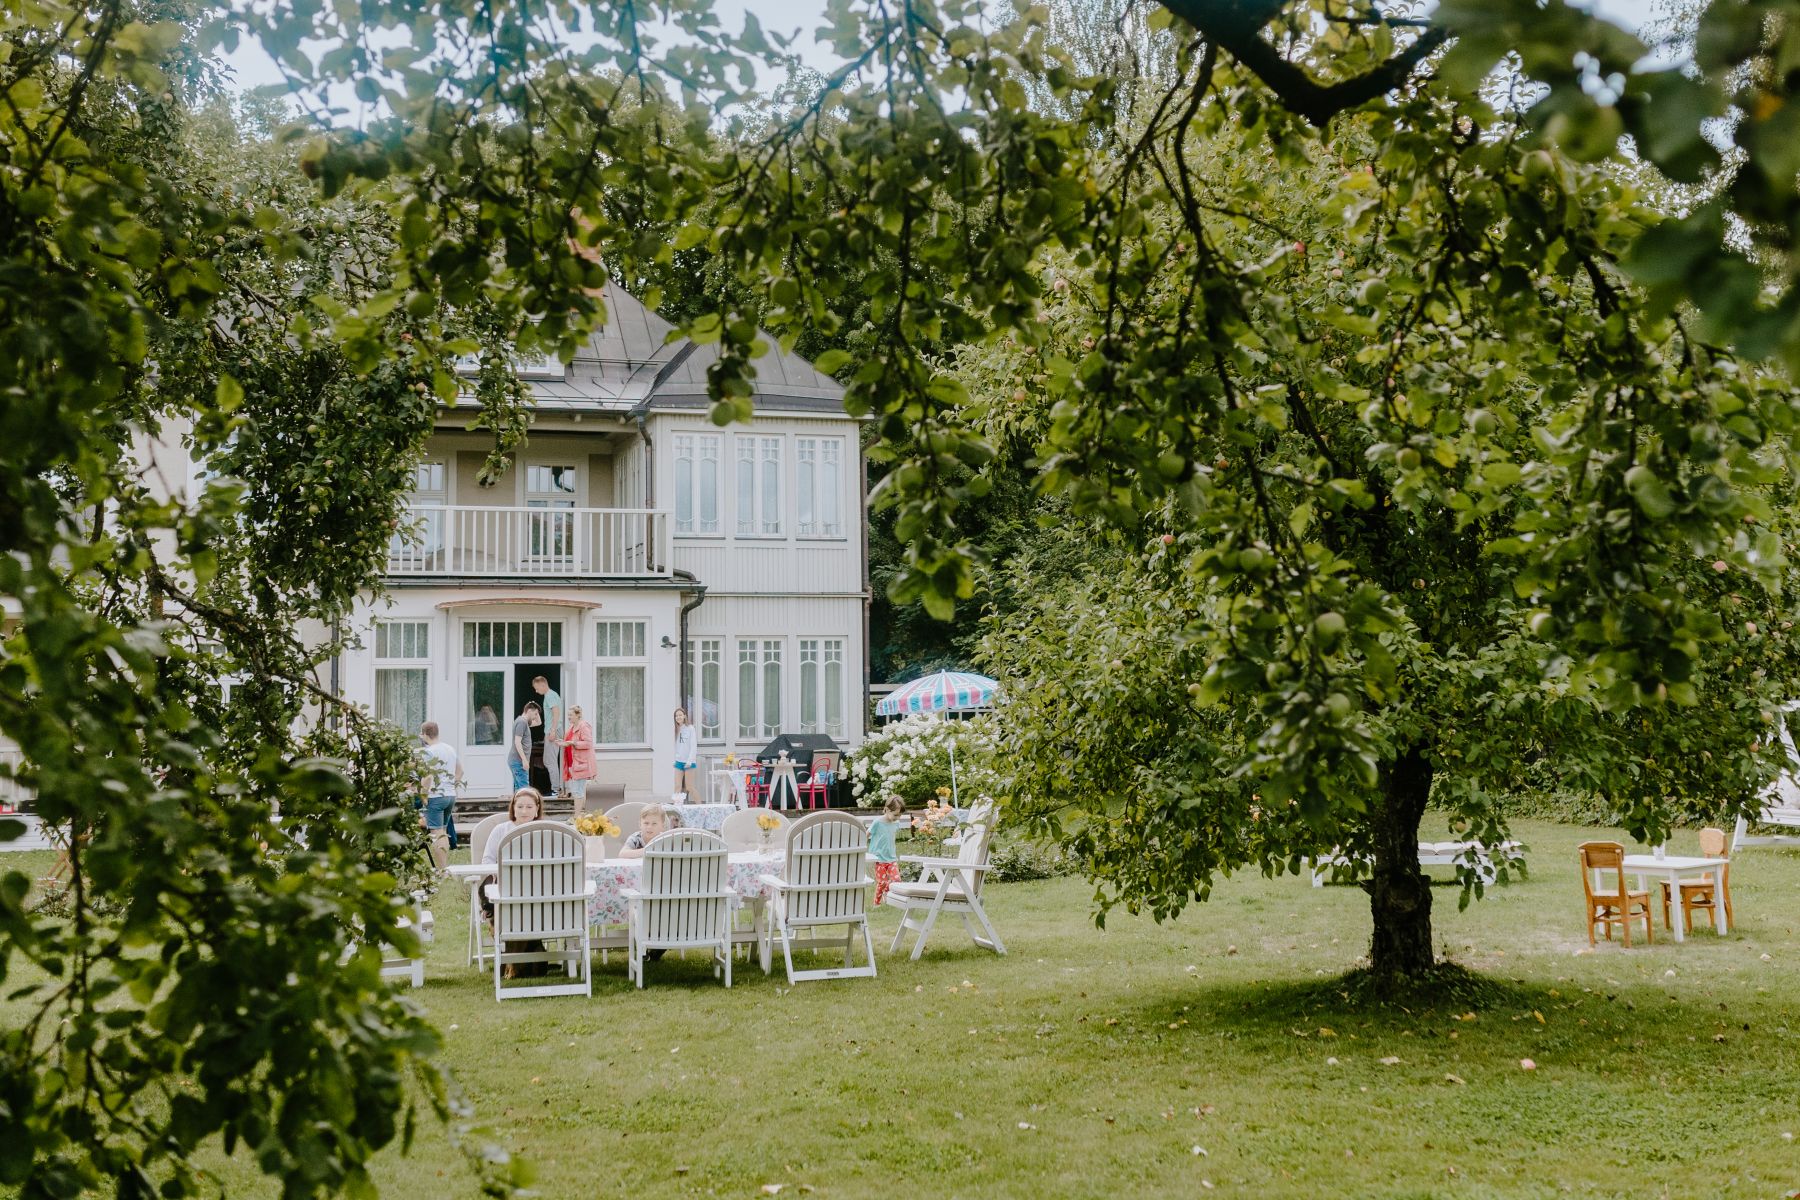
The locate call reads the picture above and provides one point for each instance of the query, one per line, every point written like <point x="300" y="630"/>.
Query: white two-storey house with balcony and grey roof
<point x="636" y="557"/>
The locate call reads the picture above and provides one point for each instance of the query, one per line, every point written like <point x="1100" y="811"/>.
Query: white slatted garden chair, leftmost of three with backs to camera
<point x="541" y="893"/>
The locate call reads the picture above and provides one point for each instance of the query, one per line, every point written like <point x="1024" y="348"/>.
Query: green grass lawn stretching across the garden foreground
<point x="1095" y="1062"/>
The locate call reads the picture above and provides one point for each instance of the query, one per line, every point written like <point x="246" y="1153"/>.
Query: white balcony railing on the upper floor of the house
<point x="530" y="542"/>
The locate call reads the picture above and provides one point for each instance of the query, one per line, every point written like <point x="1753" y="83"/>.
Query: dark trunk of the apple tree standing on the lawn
<point x="1399" y="893"/>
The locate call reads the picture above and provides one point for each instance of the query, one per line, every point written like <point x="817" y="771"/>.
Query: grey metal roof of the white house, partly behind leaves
<point x="633" y="361"/>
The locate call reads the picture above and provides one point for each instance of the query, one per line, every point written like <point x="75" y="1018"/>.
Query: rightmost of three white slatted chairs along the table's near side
<point x="823" y="884"/>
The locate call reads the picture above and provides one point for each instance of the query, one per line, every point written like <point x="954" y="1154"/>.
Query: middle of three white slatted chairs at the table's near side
<point x="681" y="902"/>
